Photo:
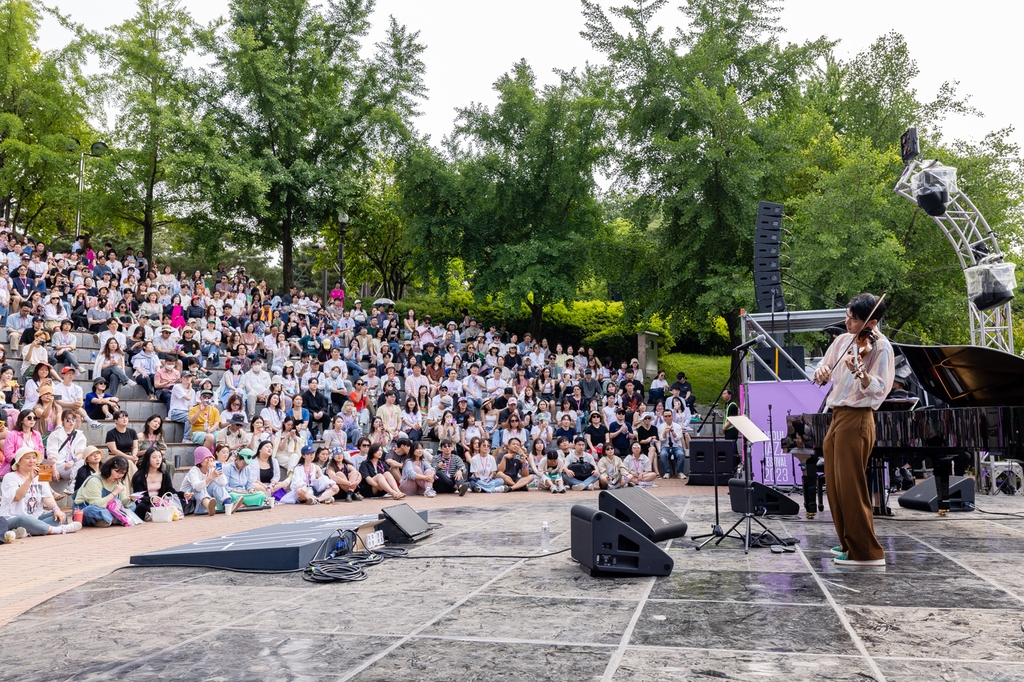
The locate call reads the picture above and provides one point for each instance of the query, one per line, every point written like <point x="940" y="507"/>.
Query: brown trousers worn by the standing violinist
<point x="847" y="448"/>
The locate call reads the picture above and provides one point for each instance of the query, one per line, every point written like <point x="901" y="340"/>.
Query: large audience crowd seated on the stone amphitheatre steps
<point x="285" y="399"/>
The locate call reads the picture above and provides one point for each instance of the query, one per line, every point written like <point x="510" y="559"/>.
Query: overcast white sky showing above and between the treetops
<point x="472" y="42"/>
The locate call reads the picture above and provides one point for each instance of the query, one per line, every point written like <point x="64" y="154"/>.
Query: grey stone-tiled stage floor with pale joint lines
<point x="950" y="607"/>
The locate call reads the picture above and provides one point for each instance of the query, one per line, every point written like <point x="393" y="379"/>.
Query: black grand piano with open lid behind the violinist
<point x="976" y="406"/>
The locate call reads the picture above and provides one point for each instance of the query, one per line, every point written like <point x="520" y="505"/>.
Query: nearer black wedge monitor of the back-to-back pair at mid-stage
<point x="606" y="546"/>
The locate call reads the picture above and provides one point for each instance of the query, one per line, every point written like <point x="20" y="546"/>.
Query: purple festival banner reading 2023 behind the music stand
<point x="785" y="398"/>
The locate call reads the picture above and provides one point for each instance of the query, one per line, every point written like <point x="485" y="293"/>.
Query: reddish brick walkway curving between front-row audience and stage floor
<point x="38" y="569"/>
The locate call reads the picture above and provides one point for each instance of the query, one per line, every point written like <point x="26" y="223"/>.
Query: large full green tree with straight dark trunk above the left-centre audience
<point x="306" y="114"/>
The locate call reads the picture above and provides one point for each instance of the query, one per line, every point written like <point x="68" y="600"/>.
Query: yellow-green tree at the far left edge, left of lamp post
<point x="44" y="114"/>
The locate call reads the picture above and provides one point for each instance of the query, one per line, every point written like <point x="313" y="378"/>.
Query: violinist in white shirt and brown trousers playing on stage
<point x="862" y="367"/>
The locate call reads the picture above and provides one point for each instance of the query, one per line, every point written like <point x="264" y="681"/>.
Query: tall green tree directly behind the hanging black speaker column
<point x="702" y="129"/>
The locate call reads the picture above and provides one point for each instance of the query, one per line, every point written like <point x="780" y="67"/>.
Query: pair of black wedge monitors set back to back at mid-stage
<point x="618" y="539"/>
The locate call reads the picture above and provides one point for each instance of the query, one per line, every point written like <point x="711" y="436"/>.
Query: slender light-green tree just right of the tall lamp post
<point x="156" y="140"/>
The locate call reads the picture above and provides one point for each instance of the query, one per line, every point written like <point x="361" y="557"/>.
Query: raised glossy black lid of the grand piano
<point x="966" y="376"/>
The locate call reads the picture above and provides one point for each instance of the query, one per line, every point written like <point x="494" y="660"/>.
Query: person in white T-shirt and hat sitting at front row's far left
<point x="27" y="503"/>
